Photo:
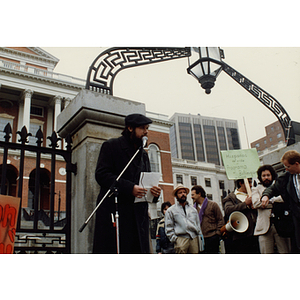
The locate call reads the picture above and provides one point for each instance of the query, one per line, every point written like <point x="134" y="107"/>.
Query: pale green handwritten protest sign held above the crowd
<point x="240" y="164"/>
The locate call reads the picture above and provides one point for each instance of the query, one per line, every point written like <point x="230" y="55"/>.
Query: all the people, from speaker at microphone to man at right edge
<point x="270" y="208"/>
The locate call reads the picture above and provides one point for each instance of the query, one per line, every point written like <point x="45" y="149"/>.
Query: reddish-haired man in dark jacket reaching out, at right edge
<point x="287" y="185"/>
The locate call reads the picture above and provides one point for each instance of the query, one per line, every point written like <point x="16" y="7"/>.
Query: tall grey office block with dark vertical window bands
<point x="199" y="138"/>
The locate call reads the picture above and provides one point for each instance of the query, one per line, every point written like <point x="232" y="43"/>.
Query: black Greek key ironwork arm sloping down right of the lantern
<point x="265" y="98"/>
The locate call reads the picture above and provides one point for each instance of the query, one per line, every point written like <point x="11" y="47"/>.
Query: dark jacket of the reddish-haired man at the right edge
<point x="284" y="186"/>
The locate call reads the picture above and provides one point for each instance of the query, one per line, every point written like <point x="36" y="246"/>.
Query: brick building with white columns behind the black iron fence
<point x="32" y="95"/>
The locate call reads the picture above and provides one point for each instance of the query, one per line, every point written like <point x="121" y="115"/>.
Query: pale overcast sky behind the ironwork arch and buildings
<point x="166" y="88"/>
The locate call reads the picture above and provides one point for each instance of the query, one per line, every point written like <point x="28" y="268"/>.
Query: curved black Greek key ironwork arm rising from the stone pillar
<point x="105" y="67"/>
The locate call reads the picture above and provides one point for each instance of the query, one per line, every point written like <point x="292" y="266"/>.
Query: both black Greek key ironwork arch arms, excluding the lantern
<point x="109" y="63"/>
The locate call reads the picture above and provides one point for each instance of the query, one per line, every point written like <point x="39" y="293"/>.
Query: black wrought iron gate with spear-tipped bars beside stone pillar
<point x="39" y="230"/>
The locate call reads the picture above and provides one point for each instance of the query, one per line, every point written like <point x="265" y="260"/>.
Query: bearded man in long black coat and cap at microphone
<point x="134" y="219"/>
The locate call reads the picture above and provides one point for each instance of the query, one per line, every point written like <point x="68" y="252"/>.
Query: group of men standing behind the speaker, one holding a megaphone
<point x="271" y="208"/>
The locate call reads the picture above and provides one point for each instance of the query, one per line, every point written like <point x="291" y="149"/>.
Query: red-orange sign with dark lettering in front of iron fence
<point x="9" y="208"/>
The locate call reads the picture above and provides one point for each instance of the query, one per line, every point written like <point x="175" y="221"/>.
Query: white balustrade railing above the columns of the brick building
<point x="41" y="72"/>
